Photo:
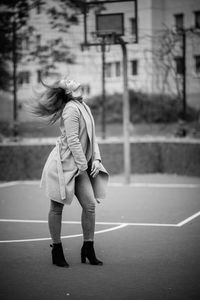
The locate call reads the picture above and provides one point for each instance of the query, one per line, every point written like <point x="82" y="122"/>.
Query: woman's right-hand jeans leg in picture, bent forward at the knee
<point x="85" y="195"/>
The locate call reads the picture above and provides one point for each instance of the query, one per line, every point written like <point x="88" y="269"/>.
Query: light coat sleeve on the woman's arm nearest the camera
<point x="71" y="117"/>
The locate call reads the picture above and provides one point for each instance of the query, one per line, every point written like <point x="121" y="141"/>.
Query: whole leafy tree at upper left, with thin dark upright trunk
<point x="16" y="30"/>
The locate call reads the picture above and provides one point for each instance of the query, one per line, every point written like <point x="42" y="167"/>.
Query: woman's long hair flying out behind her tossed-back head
<point x="50" y="103"/>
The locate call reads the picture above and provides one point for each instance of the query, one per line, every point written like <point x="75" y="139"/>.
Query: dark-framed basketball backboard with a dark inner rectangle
<point x="104" y="20"/>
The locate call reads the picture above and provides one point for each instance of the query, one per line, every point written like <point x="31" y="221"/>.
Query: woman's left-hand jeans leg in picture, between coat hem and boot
<point x="55" y="221"/>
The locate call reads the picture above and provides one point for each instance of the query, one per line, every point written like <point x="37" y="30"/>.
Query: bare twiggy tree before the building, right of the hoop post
<point x="166" y="55"/>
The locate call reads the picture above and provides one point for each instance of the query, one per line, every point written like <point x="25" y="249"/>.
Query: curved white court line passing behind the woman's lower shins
<point x="63" y="237"/>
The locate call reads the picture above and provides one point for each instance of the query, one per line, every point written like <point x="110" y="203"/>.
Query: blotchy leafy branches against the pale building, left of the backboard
<point x="56" y="48"/>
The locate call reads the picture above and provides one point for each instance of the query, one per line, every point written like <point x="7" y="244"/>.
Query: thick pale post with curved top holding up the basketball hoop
<point x="126" y="116"/>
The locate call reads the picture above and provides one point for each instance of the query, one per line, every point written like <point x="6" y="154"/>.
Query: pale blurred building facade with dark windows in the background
<point x="155" y="63"/>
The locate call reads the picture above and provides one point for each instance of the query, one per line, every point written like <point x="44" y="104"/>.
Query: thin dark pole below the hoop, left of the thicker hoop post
<point x="103" y="92"/>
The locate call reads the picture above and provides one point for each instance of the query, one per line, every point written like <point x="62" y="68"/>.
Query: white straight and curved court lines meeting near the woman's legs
<point x="116" y="227"/>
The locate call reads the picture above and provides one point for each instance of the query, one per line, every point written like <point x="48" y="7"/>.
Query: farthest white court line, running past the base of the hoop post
<point x="116" y="184"/>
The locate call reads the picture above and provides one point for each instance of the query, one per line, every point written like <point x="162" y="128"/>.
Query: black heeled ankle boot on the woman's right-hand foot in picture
<point x="87" y="251"/>
